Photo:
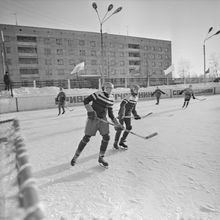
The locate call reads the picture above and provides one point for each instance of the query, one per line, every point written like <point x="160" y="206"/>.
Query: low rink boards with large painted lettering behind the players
<point x="46" y="102"/>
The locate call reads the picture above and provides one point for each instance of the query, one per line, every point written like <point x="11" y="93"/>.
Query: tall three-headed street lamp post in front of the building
<point x="101" y="22"/>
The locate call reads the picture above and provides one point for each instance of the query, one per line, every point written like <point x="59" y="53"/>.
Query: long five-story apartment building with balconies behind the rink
<point x="34" y="53"/>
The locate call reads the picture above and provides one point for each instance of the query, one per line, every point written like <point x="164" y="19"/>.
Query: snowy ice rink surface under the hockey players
<point x="173" y="176"/>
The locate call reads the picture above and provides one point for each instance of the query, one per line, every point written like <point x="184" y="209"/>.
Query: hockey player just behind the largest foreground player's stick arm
<point x="127" y="106"/>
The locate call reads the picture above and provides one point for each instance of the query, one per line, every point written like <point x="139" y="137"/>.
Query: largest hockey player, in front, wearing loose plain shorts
<point x="101" y="105"/>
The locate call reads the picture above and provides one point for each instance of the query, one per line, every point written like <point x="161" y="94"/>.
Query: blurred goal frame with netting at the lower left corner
<point x="18" y="193"/>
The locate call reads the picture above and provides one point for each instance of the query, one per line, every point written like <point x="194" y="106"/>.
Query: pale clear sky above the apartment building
<point x="184" y="22"/>
